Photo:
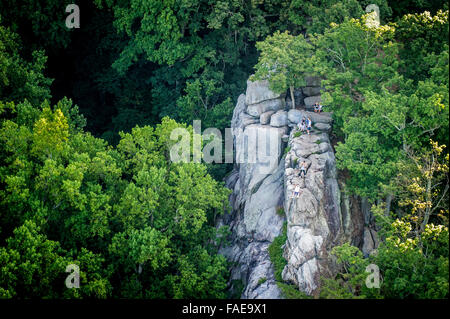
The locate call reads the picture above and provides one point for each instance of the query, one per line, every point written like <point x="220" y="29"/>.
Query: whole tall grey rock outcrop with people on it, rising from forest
<point x="263" y="180"/>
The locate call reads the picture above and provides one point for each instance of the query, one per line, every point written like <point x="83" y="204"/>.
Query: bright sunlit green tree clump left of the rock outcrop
<point x="128" y="207"/>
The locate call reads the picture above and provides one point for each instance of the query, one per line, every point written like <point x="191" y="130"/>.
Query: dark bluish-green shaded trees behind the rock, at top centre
<point x="199" y="55"/>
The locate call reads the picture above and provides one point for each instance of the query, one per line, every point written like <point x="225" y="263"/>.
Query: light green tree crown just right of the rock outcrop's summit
<point x="348" y="57"/>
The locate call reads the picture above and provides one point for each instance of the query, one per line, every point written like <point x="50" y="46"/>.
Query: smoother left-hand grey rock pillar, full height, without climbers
<point x="257" y="184"/>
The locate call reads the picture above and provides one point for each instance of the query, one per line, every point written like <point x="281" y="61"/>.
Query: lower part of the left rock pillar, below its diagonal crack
<point x="254" y="224"/>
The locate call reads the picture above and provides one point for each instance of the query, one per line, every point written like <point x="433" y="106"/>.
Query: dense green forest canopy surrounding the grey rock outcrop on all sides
<point x="86" y="116"/>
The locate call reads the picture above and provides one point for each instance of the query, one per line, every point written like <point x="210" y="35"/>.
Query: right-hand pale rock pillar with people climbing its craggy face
<point x="314" y="217"/>
